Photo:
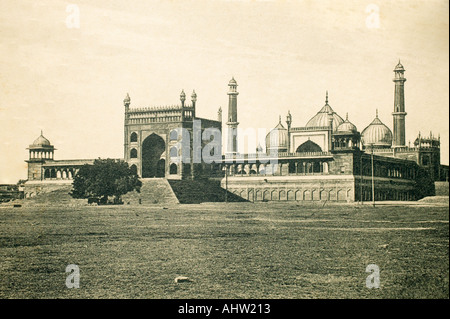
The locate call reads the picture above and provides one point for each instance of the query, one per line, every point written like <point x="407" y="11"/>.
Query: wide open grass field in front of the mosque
<point x="240" y="250"/>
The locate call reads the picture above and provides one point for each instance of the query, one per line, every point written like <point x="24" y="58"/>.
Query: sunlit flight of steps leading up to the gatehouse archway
<point x="154" y="191"/>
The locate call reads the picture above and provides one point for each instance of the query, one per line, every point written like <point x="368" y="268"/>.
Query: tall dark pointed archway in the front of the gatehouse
<point x="152" y="163"/>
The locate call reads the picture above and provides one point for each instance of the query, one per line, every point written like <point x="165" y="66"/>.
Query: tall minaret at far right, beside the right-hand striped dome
<point x="399" y="107"/>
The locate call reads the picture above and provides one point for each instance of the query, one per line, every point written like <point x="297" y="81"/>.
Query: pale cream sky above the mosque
<point x="70" y="81"/>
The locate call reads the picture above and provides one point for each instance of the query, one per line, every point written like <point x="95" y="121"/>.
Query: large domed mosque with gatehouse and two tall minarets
<point x="327" y="159"/>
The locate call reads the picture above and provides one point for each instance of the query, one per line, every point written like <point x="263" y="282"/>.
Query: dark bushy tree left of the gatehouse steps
<point x="104" y="178"/>
